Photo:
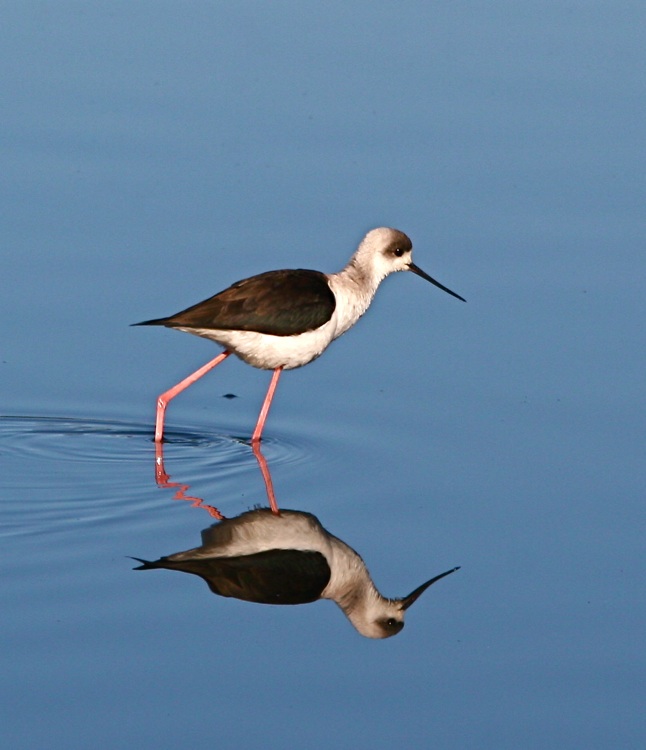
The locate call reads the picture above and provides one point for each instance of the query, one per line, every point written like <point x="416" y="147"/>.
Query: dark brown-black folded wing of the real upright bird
<point x="281" y="303"/>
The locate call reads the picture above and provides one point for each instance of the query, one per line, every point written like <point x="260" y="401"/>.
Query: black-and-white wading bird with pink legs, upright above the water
<point x="280" y="320"/>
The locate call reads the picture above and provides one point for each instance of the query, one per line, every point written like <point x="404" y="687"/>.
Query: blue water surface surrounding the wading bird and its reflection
<point x="152" y="153"/>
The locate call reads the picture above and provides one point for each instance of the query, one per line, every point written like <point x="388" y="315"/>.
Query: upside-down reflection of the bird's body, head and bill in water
<point x="290" y="558"/>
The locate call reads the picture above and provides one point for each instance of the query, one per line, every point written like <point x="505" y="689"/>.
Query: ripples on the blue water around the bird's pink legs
<point x="63" y="470"/>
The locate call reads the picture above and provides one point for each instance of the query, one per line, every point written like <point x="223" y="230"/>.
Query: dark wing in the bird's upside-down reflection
<point x="276" y="576"/>
